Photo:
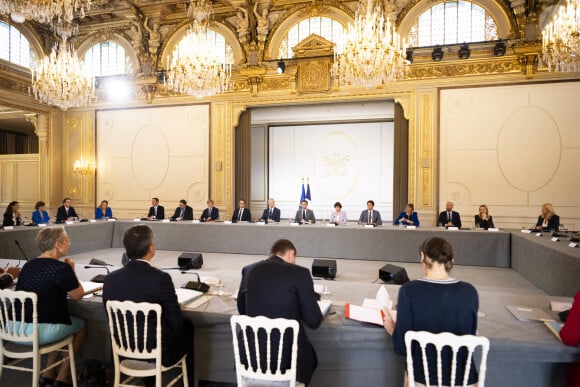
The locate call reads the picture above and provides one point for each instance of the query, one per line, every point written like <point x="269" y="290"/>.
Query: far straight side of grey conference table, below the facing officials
<point x="386" y="243"/>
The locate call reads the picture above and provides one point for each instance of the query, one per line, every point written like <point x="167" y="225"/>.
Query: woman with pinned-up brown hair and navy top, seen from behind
<point x="435" y="303"/>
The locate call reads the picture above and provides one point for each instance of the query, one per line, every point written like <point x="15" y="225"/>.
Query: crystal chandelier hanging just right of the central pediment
<point x="370" y="53"/>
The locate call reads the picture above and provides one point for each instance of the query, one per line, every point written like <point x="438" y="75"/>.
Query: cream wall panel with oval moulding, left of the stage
<point x="149" y="152"/>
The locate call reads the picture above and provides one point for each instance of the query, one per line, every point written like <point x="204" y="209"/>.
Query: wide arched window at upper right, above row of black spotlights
<point x="452" y="22"/>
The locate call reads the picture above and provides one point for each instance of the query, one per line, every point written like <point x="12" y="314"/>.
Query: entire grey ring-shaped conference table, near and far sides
<point x="350" y="353"/>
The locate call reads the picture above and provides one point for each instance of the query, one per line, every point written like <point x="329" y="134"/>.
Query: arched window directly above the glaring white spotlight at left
<point x="106" y="58"/>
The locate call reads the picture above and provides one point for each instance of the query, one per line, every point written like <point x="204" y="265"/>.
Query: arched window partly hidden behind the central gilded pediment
<point x="328" y="28"/>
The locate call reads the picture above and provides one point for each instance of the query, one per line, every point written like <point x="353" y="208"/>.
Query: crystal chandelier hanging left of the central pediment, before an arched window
<point x="197" y="67"/>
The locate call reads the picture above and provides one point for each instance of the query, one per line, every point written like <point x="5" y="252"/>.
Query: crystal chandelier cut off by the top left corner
<point x="43" y="11"/>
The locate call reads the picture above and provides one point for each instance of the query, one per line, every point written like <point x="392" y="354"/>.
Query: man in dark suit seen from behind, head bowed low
<point x="278" y="288"/>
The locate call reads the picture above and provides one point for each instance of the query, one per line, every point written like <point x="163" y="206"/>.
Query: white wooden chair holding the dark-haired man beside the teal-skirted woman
<point x="128" y="343"/>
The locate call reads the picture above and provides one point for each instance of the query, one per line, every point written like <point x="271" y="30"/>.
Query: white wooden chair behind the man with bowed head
<point x="247" y="328"/>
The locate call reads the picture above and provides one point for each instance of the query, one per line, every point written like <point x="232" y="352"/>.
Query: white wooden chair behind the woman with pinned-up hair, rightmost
<point x="439" y="341"/>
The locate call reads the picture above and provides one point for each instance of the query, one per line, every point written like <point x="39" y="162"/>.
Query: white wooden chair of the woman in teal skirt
<point x="19" y="341"/>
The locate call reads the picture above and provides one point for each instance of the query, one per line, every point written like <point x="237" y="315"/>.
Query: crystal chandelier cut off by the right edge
<point x="561" y="37"/>
